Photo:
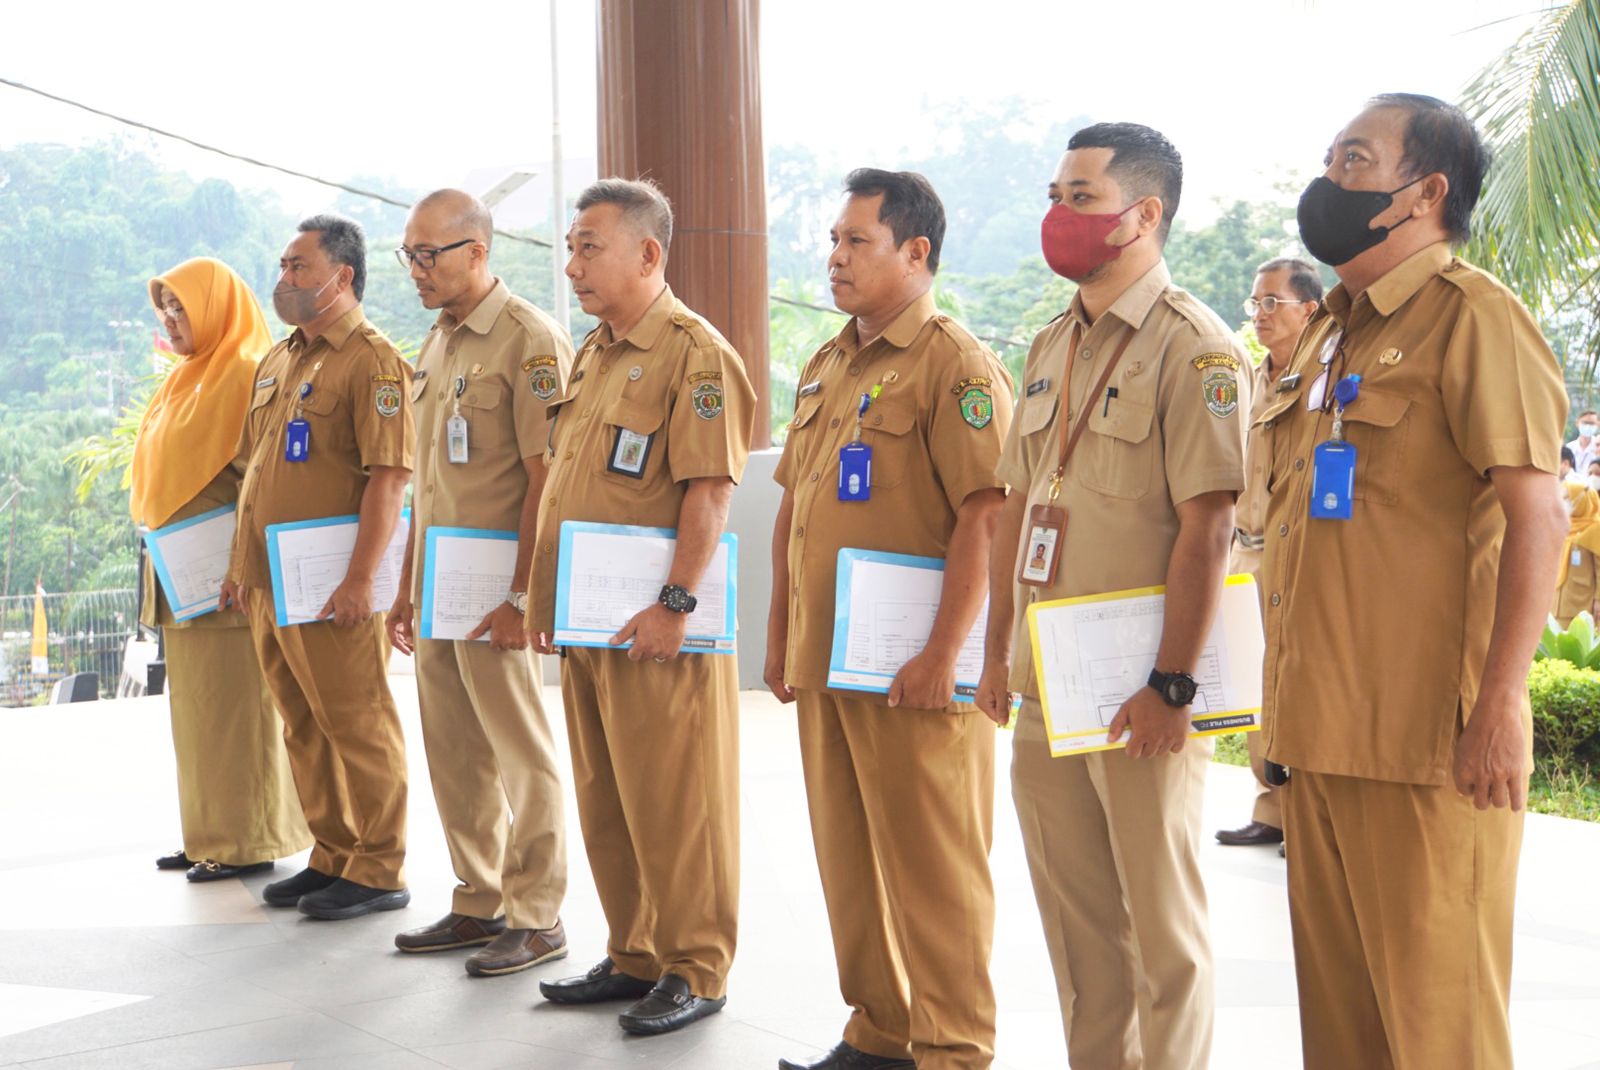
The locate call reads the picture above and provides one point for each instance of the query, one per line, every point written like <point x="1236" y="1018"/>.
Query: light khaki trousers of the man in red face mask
<point x="1113" y="847"/>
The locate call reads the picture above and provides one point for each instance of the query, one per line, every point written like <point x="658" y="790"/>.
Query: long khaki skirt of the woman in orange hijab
<point x="234" y="789"/>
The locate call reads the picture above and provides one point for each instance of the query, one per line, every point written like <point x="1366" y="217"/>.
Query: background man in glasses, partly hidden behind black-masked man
<point x="1287" y="292"/>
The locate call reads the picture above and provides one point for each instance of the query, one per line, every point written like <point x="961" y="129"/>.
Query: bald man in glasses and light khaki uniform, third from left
<point x="484" y="377"/>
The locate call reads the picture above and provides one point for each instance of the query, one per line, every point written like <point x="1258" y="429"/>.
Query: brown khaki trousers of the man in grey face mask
<point x="343" y="738"/>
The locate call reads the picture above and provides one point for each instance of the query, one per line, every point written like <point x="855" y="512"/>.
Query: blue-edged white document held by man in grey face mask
<point x="311" y="557"/>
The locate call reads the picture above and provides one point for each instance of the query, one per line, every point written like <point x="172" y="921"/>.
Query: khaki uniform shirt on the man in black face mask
<point x="1391" y="610"/>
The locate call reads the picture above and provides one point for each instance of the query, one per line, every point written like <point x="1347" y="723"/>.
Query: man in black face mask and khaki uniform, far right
<point x="1412" y="465"/>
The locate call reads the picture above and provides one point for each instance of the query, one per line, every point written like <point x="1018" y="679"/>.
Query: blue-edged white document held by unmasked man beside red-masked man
<point x="884" y="612"/>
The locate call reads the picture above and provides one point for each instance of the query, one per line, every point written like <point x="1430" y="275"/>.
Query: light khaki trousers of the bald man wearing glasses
<point x="489" y="749"/>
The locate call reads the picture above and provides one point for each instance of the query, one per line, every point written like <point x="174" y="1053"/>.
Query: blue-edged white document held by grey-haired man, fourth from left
<point x="607" y="573"/>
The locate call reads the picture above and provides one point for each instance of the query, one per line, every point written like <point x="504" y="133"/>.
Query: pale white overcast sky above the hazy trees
<point x="1250" y="92"/>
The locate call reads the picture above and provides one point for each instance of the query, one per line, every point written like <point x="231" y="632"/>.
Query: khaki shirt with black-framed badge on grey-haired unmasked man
<point x="642" y="415"/>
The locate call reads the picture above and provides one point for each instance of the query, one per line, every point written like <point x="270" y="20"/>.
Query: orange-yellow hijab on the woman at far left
<point x="191" y="429"/>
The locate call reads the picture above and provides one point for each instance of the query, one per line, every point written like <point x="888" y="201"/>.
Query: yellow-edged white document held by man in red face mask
<point x="1092" y="653"/>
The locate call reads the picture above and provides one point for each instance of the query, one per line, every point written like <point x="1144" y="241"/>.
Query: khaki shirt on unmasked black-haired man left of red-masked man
<point x="935" y="431"/>
